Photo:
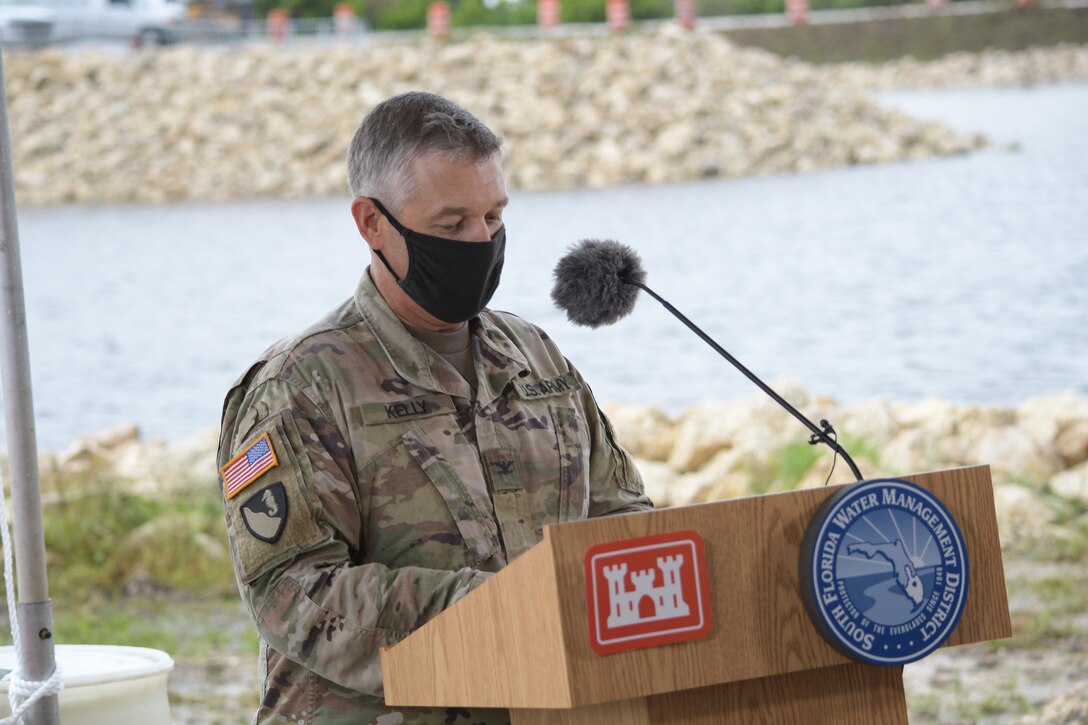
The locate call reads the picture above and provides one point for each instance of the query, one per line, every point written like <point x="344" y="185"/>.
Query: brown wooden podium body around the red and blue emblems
<point x="522" y="641"/>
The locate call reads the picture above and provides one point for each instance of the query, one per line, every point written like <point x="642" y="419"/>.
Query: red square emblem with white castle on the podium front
<point x="647" y="593"/>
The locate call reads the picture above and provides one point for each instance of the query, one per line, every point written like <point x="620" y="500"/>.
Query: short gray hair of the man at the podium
<point x="403" y="128"/>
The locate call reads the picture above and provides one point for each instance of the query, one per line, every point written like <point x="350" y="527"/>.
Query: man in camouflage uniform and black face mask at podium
<point x="387" y="461"/>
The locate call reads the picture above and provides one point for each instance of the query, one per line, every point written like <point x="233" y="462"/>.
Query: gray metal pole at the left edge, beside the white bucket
<point x="35" y="610"/>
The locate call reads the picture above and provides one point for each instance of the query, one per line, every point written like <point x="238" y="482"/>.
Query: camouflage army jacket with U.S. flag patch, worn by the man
<point x="367" y="489"/>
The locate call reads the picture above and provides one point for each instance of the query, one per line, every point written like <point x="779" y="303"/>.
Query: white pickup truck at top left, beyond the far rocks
<point x="141" y="22"/>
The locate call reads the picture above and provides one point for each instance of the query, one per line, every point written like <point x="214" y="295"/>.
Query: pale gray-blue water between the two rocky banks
<point x="960" y="277"/>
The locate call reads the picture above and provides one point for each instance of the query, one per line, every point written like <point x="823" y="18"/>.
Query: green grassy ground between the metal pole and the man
<point x="152" y="570"/>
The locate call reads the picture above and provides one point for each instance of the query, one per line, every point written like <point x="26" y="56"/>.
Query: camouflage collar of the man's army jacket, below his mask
<point x="497" y="358"/>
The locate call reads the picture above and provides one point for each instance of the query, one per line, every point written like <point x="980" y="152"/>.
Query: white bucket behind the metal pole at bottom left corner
<point x="106" y="685"/>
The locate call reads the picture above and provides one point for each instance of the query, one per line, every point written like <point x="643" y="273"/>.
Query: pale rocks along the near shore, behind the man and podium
<point x="1038" y="453"/>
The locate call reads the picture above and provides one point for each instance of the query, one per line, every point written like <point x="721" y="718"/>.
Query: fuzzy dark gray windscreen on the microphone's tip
<point x="594" y="282"/>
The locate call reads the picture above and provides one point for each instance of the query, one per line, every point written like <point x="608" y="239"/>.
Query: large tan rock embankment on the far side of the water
<point x="214" y="124"/>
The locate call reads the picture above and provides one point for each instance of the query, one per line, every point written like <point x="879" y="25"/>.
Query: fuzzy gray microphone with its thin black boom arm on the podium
<point x="597" y="284"/>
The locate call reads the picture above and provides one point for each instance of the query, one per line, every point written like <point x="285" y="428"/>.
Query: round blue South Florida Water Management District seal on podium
<point x="884" y="572"/>
